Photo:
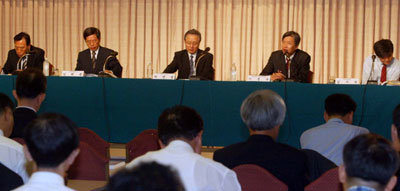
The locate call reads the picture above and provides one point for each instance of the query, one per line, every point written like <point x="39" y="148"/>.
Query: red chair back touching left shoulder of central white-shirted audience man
<point x="146" y="141"/>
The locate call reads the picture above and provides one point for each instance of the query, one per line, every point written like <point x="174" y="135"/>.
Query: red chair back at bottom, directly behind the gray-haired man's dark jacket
<point x="253" y="177"/>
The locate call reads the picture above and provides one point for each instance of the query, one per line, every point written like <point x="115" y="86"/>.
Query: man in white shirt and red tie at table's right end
<point x="382" y="67"/>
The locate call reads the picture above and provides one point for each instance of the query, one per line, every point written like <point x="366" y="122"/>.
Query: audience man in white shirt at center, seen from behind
<point x="180" y="131"/>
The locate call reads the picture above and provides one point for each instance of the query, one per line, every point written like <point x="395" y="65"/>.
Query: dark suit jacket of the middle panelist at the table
<point x="204" y="68"/>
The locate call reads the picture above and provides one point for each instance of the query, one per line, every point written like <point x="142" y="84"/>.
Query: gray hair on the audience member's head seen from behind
<point x="263" y="110"/>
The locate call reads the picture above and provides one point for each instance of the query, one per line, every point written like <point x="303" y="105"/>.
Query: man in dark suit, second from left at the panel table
<point x="97" y="59"/>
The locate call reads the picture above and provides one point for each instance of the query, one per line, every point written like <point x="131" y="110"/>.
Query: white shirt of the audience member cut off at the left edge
<point x="12" y="156"/>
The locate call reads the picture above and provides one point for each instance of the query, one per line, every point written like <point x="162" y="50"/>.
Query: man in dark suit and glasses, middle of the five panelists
<point x="192" y="61"/>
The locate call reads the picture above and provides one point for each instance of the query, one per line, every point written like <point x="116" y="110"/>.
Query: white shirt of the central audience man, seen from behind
<point x="196" y="172"/>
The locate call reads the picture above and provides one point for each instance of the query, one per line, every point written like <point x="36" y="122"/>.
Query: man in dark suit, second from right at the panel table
<point x="290" y="62"/>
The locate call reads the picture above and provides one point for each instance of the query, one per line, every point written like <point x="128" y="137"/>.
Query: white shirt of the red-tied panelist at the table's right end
<point x="392" y="70"/>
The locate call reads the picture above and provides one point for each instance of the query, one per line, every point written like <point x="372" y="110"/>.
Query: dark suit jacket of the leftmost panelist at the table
<point x="34" y="60"/>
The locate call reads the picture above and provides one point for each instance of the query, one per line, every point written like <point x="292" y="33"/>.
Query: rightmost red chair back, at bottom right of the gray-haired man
<point x="329" y="181"/>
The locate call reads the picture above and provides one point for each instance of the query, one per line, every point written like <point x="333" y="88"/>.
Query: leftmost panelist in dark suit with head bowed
<point x="24" y="55"/>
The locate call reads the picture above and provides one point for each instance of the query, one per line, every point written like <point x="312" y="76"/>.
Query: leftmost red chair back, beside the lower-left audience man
<point x="89" y="165"/>
